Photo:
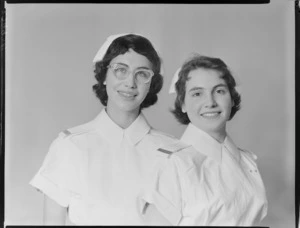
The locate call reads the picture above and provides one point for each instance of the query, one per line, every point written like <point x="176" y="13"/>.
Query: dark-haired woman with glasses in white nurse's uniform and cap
<point x="94" y="173"/>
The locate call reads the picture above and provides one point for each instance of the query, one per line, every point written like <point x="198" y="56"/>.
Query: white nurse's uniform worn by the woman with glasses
<point x="98" y="170"/>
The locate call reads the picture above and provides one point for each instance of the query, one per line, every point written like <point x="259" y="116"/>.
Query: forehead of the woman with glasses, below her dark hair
<point x="132" y="59"/>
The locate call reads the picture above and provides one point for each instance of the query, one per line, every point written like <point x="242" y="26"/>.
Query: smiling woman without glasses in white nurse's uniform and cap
<point x="217" y="183"/>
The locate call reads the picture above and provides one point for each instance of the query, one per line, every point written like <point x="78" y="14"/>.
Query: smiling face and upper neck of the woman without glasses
<point x="208" y="102"/>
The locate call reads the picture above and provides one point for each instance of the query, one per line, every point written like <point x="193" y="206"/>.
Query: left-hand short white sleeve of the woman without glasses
<point x="164" y="191"/>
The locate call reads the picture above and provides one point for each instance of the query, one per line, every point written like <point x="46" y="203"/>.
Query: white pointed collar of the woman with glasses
<point x="115" y="134"/>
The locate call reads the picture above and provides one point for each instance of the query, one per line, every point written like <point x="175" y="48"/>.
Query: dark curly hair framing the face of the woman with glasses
<point x="120" y="46"/>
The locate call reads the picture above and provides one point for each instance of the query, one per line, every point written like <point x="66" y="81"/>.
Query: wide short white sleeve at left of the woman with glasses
<point x="57" y="178"/>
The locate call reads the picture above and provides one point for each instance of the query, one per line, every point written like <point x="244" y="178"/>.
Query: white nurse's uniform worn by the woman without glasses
<point x="209" y="184"/>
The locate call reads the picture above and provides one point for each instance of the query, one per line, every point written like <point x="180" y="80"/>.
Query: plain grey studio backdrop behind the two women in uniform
<point x="49" y="79"/>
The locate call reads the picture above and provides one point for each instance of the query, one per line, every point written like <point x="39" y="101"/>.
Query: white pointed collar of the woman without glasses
<point x="207" y="145"/>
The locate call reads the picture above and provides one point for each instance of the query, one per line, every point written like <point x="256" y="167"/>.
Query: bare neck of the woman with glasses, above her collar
<point x="122" y="118"/>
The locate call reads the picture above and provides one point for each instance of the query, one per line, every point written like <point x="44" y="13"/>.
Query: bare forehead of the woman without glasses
<point x="205" y="78"/>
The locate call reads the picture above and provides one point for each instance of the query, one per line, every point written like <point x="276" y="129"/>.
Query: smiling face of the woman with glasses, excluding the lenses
<point x="126" y="96"/>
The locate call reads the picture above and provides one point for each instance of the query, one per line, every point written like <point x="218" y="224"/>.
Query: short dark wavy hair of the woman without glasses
<point x="205" y="62"/>
